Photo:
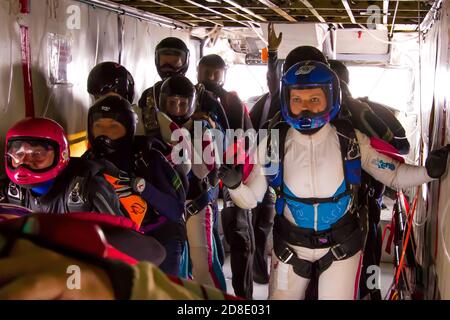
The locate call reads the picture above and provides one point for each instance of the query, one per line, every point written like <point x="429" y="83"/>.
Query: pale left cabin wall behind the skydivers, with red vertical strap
<point x="97" y="38"/>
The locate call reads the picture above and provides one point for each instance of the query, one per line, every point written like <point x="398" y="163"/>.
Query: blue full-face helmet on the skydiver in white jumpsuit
<point x="309" y="75"/>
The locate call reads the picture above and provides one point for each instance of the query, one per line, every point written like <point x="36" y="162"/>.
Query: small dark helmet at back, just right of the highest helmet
<point x="212" y="66"/>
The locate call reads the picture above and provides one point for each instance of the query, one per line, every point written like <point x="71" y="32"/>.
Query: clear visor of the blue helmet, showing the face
<point x="308" y="100"/>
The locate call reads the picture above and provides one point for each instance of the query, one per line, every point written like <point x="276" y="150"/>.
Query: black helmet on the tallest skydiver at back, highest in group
<point x="173" y="47"/>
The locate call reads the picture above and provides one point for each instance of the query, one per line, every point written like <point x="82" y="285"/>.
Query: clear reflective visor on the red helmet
<point x="37" y="155"/>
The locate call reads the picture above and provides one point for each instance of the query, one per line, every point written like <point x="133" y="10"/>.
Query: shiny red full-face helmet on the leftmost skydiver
<point x="35" y="133"/>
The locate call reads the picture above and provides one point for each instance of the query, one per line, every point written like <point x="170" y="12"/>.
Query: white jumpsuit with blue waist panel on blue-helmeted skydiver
<point x="313" y="168"/>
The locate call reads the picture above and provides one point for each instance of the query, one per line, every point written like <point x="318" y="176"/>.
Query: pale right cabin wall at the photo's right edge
<point x="432" y="220"/>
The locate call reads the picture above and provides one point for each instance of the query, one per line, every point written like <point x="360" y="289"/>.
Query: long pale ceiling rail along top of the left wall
<point x="136" y="13"/>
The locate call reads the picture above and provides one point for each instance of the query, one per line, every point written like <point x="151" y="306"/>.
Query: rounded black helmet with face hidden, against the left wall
<point x="111" y="77"/>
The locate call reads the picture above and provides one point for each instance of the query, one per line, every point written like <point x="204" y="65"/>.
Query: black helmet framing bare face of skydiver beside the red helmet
<point x="116" y="108"/>
